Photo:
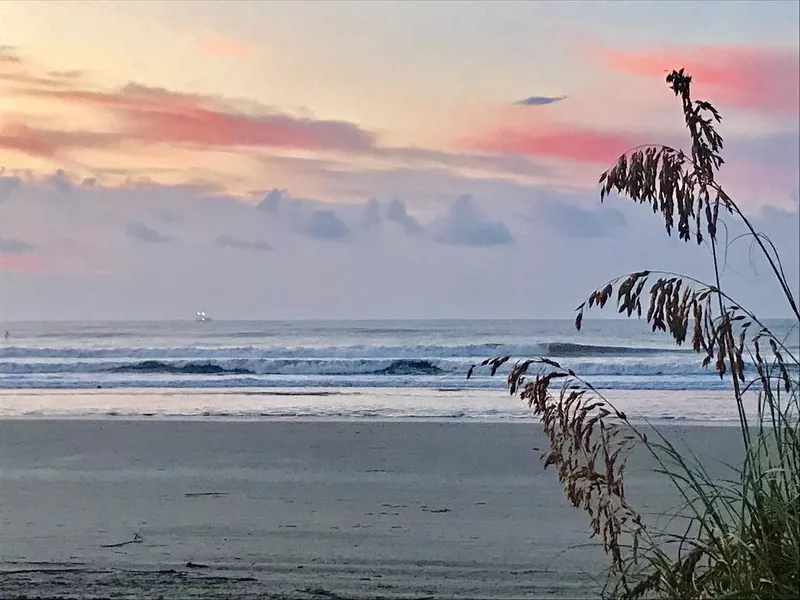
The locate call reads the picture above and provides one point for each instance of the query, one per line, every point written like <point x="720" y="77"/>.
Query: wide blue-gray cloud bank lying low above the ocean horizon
<point x="112" y="276"/>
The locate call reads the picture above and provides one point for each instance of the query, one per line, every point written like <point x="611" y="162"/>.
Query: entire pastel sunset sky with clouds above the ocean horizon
<point x="372" y="159"/>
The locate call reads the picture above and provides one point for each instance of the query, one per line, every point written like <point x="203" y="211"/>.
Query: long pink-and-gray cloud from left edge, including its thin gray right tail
<point x="142" y="115"/>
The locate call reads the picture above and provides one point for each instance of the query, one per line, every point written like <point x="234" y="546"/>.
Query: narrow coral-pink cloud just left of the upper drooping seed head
<point x="573" y="143"/>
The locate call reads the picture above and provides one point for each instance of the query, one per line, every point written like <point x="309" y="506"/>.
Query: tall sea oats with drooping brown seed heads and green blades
<point x="741" y="536"/>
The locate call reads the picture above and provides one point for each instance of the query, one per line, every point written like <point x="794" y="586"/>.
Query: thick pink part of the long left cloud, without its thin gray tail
<point x="155" y="115"/>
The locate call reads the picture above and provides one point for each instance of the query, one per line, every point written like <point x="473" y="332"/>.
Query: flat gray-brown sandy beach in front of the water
<point x="297" y="509"/>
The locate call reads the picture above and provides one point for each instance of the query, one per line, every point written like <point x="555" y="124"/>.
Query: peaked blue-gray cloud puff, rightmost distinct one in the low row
<point x="465" y="225"/>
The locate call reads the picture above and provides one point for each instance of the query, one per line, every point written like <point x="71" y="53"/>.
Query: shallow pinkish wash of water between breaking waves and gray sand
<point x="664" y="408"/>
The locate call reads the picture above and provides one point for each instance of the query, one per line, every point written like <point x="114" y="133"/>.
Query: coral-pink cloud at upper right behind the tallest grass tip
<point x="757" y="79"/>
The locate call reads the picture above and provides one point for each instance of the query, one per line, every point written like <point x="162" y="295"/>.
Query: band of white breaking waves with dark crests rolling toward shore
<point x="352" y="366"/>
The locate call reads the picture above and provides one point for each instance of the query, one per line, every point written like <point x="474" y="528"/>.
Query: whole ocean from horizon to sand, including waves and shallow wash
<point x="345" y="369"/>
